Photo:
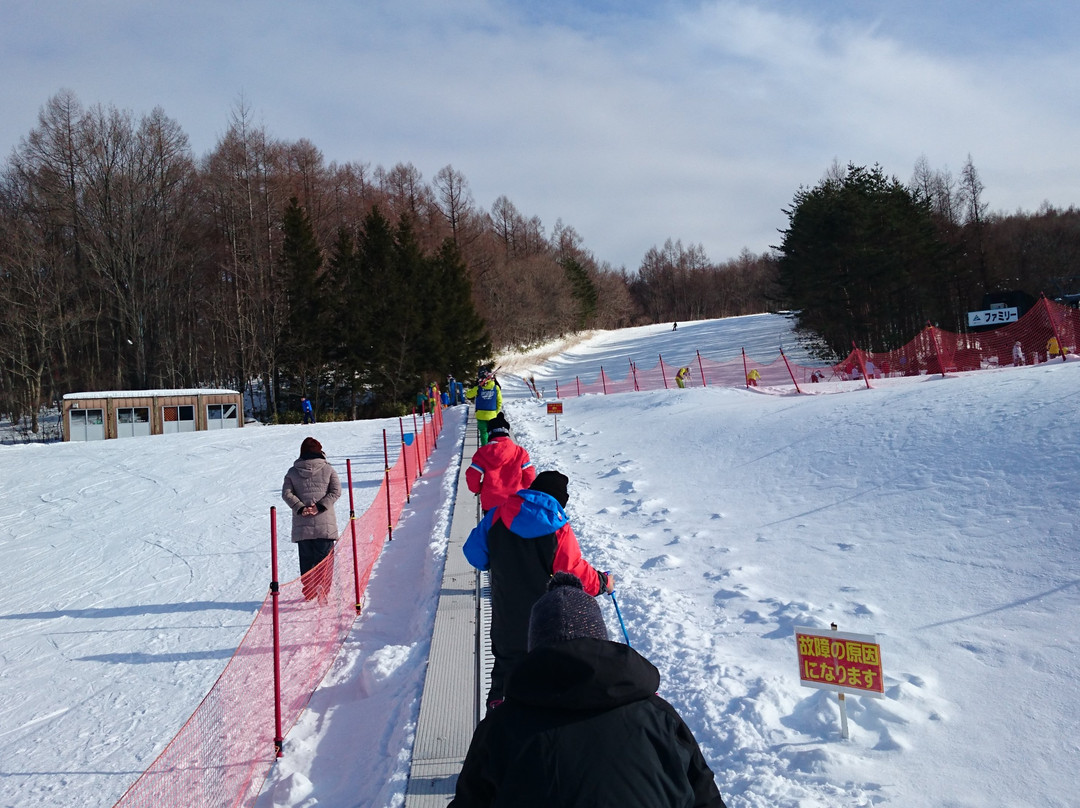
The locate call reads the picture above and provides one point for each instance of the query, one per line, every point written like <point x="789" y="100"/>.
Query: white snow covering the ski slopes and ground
<point x="937" y="514"/>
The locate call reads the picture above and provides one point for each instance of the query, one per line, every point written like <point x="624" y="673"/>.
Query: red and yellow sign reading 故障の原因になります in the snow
<point x="836" y="661"/>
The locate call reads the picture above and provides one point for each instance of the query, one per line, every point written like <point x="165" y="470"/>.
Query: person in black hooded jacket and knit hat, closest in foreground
<point x="583" y="725"/>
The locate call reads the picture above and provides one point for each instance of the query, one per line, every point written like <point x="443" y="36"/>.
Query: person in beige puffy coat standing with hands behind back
<point x="310" y="490"/>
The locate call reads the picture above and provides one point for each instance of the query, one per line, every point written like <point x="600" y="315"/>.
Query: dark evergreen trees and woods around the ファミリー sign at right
<point x="870" y="261"/>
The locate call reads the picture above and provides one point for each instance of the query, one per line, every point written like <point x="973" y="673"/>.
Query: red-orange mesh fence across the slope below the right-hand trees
<point x="1034" y="339"/>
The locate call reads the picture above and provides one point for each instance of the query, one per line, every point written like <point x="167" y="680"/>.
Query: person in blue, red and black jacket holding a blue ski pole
<point x="523" y="544"/>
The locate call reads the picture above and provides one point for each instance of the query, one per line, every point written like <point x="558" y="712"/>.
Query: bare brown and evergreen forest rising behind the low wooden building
<point x="127" y="263"/>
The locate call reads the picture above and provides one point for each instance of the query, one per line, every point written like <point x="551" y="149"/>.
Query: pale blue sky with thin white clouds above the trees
<point x="633" y="122"/>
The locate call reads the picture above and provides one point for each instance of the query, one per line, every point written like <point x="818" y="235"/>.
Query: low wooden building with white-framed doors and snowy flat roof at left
<point x="100" y="416"/>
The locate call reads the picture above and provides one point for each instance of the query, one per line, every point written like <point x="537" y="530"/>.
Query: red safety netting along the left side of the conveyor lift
<point x="224" y="752"/>
